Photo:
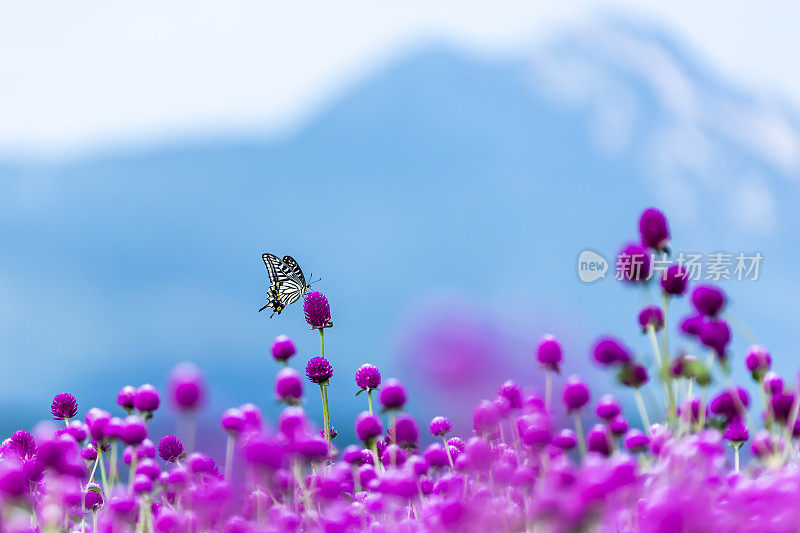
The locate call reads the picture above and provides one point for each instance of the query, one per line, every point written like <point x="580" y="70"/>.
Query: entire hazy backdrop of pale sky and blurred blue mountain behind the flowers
<point x="441" y="167"/>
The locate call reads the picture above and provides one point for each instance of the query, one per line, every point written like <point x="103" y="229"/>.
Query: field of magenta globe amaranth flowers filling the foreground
<point x="553" y="458"/>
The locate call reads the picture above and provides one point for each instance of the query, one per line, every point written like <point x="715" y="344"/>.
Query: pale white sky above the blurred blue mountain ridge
<point x="77" y="75"/>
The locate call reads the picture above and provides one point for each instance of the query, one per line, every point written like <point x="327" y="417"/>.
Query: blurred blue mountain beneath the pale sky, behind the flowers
<point x="446" y="190"/>
